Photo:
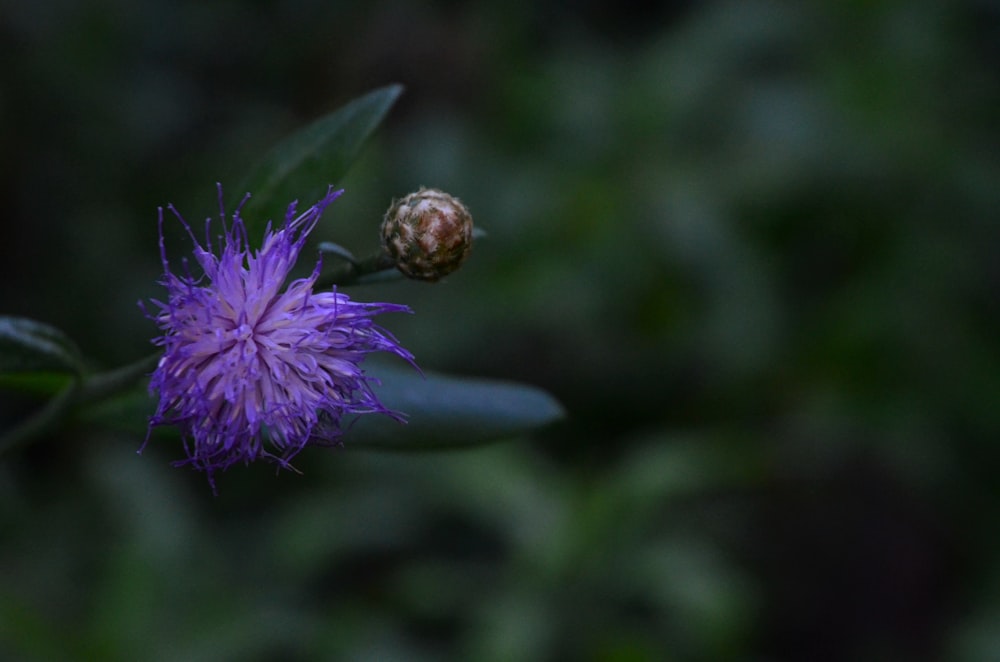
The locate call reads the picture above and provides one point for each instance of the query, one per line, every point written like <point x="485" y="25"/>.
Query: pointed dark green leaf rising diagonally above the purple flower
<point x="304" y="164"/>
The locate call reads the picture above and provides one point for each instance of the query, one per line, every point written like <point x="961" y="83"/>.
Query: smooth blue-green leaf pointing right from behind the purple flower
<point x="450" y="412"/>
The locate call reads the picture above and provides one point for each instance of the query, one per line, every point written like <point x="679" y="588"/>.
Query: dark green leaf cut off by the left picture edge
<point x="28" y="346"/>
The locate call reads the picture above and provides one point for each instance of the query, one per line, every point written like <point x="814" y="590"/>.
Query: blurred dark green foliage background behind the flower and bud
<point x="752" y="247"/>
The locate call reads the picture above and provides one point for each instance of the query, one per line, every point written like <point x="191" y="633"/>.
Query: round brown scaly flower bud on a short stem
<point x="428" y="234"/>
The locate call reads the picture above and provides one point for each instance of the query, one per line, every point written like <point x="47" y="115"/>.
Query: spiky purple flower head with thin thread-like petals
<point x="250" y="371"/>
